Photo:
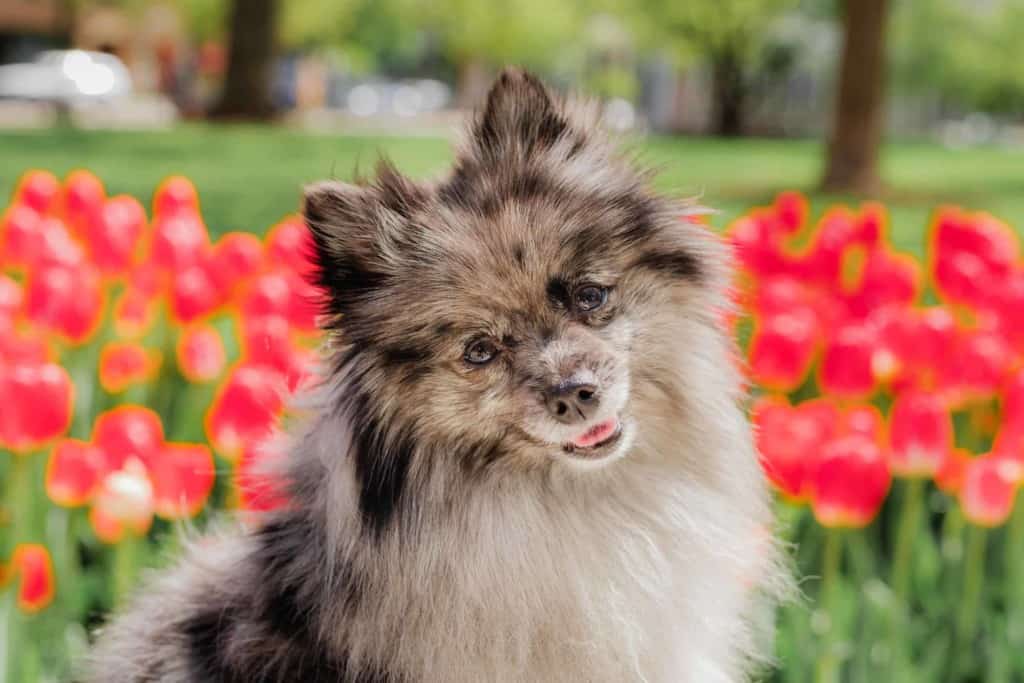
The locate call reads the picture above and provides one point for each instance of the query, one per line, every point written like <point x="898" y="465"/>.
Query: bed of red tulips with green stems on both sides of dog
<point x="144" y="365"/>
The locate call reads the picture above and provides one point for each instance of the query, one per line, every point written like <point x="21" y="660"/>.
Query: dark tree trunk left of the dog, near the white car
<point x="247" y="86"/>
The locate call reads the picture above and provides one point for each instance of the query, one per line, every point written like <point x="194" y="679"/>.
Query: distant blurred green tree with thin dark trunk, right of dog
<point x="732" y="37"/>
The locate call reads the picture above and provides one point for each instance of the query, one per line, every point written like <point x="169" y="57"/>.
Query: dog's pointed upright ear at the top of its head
<point x="520" y="118"/>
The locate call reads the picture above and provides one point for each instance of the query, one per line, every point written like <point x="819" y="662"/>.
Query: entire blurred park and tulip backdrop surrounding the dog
<point x="901" y="325"/>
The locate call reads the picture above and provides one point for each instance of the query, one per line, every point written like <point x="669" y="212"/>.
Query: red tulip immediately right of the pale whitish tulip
<point x="183" y="478"/>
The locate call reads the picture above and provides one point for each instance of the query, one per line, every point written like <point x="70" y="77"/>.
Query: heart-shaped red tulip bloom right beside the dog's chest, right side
<point x="790" y="440"/>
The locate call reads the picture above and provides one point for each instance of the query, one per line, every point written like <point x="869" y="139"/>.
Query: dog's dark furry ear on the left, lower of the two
<point x="358" y="231"/>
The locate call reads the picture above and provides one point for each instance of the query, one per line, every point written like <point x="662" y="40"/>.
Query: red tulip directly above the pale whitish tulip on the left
<point x="129" y="433"/>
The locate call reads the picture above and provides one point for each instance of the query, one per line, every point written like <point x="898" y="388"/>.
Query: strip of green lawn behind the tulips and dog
<point x="249" y="177"/>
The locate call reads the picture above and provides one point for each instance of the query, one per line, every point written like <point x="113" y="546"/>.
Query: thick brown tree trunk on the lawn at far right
<point x="860" y="120"/>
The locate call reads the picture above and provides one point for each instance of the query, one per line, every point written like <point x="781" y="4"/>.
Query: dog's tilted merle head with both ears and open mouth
<point x="515" y="313"/>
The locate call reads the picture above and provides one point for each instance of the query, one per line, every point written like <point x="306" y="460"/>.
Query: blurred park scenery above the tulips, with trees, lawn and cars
<point x="737" y="99"/>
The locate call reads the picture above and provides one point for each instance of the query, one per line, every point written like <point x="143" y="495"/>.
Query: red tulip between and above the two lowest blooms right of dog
<point x="921" y="434"/>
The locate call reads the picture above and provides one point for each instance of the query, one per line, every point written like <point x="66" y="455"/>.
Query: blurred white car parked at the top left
<point x="67" y="77"/>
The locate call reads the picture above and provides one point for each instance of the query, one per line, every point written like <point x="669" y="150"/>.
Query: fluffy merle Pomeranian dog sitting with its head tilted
<point x="528" y="458"/>
